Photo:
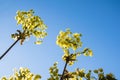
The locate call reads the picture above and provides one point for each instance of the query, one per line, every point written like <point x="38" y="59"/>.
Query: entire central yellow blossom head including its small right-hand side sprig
<point x="71" y="41"/>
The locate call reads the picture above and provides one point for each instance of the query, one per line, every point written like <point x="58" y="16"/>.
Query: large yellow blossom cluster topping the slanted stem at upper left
<point x="31" y="25"/>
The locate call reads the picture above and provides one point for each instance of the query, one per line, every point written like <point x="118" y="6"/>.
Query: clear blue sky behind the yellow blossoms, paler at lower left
<point x="97" y="20"/>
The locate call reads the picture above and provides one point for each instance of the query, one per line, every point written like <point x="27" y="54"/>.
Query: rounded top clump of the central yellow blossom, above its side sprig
<point x="68" y="40"/>
